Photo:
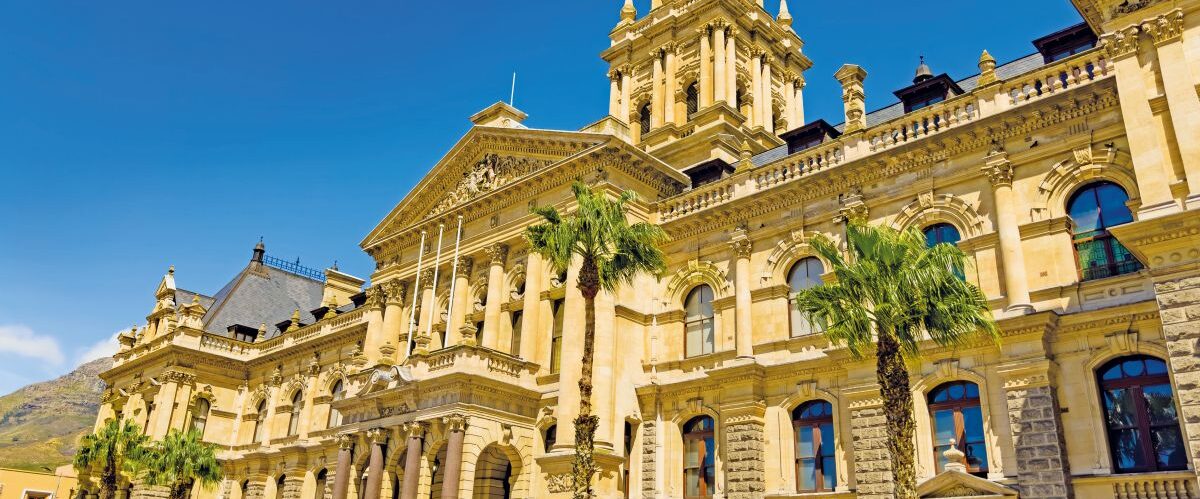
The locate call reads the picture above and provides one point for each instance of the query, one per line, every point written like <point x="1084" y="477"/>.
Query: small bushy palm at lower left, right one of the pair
<point x="179" y="461"/>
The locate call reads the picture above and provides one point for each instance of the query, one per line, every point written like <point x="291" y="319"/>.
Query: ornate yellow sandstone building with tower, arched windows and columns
<point x="1070" y="177"/>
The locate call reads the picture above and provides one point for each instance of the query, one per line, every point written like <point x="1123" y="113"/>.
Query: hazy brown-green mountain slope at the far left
<point x="41" y="424"/>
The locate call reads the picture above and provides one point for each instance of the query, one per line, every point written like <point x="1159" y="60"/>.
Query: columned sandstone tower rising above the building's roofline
<point x="698" y="80"/>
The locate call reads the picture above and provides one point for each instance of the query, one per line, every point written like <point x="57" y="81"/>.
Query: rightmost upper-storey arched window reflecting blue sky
<point x="1094" y="211"/>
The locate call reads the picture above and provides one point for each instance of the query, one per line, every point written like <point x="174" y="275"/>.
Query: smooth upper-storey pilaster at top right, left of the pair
<point x="1149" y="154"/>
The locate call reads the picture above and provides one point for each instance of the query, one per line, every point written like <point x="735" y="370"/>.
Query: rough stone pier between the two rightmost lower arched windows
<point x="1042" y="466"/>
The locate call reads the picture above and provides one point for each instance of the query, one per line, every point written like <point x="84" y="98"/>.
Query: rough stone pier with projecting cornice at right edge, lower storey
<point x="1171" y="249"/>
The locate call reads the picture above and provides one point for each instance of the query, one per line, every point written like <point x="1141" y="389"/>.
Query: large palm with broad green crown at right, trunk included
<point x="891" y="292"/>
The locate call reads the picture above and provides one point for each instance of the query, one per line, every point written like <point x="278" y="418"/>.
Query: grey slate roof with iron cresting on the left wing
<point x="263" y="294"/>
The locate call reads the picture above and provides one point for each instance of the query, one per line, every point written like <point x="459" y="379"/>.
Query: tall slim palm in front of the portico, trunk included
<point x="611" y="254"/>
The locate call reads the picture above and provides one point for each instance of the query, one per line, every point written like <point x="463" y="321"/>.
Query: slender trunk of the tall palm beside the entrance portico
<point x="584" y="468"/>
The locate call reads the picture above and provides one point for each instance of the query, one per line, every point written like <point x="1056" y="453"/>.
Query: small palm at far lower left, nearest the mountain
<point x="112" y="452"/>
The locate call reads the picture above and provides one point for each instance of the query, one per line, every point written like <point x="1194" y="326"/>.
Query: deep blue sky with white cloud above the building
<point x="137" y="135"/>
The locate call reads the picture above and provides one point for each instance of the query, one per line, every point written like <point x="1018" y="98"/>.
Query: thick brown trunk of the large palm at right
<point x="893" y="377"/>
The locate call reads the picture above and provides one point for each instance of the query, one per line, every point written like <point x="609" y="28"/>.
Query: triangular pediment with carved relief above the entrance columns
<point x="485" y="160"/>
